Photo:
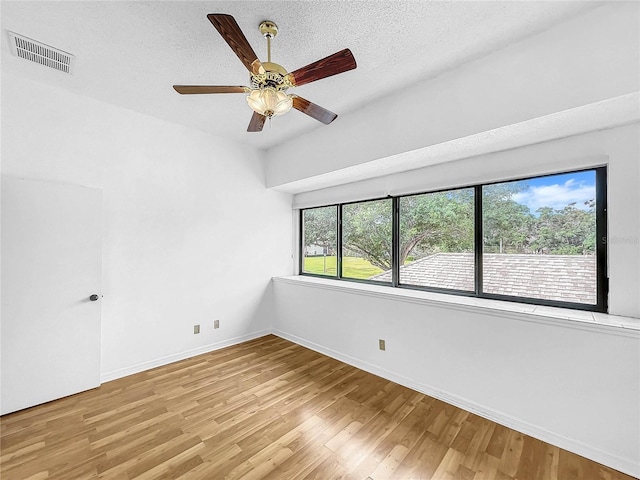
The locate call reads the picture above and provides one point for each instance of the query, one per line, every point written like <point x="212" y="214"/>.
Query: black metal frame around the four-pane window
<point x="602" y="281"/>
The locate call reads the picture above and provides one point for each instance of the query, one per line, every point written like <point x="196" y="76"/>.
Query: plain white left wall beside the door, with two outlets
<point x="190" y="232"/>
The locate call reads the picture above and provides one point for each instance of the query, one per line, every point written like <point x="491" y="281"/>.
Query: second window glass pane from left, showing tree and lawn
<point x="366" y="240"/>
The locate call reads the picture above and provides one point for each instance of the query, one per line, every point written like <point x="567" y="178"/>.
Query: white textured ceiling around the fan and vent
<point x="131" y="53"/>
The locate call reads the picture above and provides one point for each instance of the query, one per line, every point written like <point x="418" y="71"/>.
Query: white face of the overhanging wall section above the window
<point x="591" y="58"/>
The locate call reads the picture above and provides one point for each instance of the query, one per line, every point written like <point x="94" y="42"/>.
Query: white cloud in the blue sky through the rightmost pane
<point x="557" y="196"/>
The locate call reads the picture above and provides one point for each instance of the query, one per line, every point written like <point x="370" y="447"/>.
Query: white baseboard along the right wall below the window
<point x="579" y="448"/>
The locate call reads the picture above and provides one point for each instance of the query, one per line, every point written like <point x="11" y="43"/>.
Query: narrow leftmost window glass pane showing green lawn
<point x="319" y="234"/>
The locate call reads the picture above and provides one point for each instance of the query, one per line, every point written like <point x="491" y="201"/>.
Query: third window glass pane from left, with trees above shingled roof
<point x="436" y="240"/>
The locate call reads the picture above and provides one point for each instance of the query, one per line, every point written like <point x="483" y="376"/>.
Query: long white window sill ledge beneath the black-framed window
<point x="520" y="311"/>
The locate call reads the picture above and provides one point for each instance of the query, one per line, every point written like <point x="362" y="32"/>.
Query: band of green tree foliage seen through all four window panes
<point x="444" y="222"/>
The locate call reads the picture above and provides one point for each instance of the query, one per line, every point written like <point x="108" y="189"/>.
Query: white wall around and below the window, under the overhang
<point x="576" y="388"/>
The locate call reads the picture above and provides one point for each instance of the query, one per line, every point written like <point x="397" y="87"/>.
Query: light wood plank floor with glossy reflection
<point x="274" y="410"/>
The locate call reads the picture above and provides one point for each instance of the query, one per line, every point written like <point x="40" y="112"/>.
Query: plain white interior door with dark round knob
<point x="51" y="265"/>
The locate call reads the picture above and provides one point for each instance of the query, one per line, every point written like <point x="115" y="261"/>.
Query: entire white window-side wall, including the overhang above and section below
<point x="578" y="388"/>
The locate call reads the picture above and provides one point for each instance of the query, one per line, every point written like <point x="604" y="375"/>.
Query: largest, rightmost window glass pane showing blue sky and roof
<point x="540" y="238"/>
